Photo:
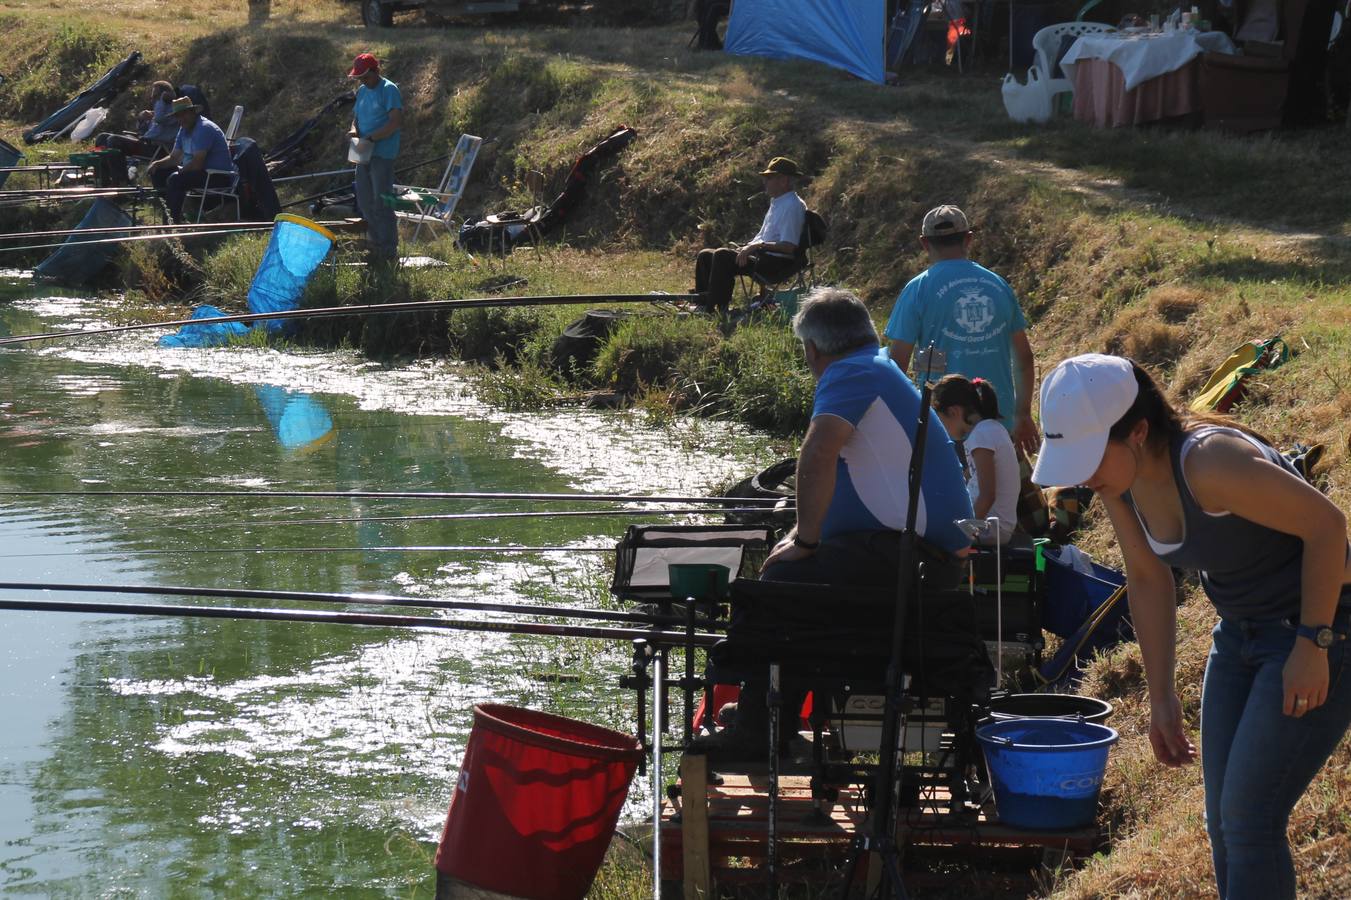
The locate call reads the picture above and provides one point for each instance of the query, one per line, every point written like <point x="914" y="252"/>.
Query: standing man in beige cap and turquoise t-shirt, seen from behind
<point x="971" y="316"/>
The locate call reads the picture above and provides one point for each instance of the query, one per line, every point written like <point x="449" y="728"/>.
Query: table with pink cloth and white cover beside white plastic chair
<point x="1133" y="79"/>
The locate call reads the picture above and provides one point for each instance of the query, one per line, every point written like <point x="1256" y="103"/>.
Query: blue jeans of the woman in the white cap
<point x="1257" y="761"/>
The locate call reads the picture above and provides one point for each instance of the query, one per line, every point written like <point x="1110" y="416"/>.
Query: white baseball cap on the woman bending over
<point x="1081" y="401"/>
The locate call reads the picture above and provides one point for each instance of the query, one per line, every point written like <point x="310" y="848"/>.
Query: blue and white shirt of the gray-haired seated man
<point x="872" y="479"/>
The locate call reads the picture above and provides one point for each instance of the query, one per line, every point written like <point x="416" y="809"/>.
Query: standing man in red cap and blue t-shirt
<point x="378" y="118"/>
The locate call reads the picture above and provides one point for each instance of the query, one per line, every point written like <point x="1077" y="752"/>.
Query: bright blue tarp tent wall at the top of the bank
<point x="846" y="34"/>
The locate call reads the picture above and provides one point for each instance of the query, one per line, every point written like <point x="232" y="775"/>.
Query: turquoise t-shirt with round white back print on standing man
<point x="971" y="314"/>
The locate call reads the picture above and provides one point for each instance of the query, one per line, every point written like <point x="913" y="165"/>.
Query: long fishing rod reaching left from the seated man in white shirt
<point x="376" y="309"/>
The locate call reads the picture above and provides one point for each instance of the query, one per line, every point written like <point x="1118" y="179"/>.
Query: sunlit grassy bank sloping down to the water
<point x="1169" y="247"/>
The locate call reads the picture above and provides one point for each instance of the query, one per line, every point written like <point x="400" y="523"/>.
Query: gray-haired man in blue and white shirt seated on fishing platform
<point x="853" y="484"/>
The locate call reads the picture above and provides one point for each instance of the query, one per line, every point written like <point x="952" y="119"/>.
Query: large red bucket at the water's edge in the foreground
<point x="537" y="803"/>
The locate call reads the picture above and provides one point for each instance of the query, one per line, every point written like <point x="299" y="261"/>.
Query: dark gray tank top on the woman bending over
<point x="1248" y="571"/>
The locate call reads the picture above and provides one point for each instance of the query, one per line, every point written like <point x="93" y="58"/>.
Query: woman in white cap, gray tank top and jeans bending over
<point x="1204" y="494"/>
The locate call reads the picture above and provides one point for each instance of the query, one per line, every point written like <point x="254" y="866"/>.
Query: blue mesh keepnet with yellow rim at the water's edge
<point x="295" y="251"/>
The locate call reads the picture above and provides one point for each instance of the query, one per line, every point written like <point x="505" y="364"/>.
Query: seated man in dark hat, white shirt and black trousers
<point x="772" y="253"/>
